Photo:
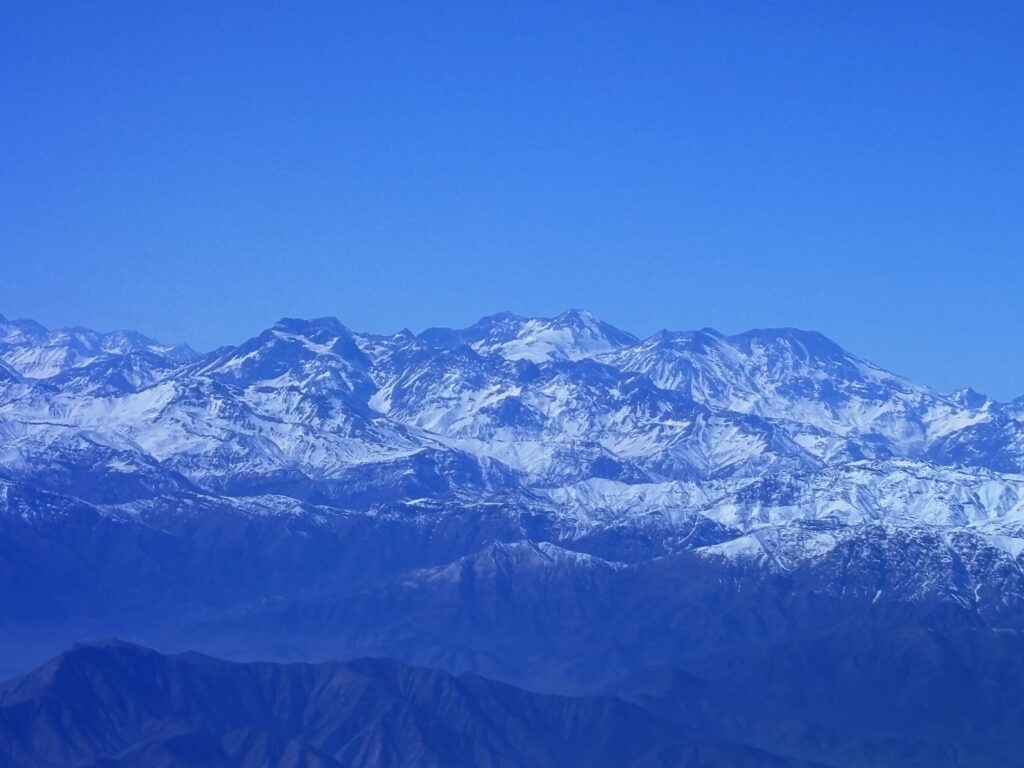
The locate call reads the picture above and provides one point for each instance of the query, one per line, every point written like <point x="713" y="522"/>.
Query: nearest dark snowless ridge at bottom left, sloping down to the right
<point x="120" y="705"/>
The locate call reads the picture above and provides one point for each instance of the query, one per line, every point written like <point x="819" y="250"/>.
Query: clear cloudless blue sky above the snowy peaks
<point x="197" y="170"/>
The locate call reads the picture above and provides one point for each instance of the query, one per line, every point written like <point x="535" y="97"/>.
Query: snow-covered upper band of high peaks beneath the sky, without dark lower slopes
<point x="762" y="429"/>
